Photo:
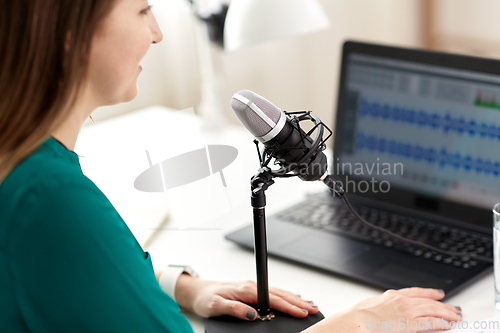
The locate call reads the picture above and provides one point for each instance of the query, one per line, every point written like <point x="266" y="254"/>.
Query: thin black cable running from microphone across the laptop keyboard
<point x="333" y="185"/>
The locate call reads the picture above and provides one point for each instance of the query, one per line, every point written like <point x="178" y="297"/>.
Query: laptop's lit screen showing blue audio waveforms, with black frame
<point x="427" y="131"/>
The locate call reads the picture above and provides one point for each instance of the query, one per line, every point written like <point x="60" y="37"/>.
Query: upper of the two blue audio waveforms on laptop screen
<point x="446" y="123"/>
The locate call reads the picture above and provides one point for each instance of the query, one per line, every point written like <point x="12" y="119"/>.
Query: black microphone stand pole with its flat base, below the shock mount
<point x="267" y="321"/>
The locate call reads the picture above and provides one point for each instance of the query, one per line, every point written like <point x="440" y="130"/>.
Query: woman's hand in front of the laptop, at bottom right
<point x="409" y="310"/>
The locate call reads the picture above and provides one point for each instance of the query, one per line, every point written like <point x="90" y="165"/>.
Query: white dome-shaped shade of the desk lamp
<point x="256" y="21"/>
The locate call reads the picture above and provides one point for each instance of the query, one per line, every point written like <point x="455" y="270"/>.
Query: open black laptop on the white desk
<point x="417" y="149"/>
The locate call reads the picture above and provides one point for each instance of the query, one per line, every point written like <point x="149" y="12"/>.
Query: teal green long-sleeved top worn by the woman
<point x="68" y="262"/>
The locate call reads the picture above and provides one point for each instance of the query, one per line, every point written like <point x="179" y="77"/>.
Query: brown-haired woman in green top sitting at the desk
<point x="68" y="262"/>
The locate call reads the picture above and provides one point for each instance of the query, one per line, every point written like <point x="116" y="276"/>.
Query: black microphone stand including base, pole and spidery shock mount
<point x="267" y="321"/>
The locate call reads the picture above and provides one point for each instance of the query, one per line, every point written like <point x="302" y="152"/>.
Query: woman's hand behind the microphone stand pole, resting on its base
<point x="212" y="298"/>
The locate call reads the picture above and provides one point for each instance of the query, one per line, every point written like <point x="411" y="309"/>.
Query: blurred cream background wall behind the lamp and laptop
<point x="301" y="73"/>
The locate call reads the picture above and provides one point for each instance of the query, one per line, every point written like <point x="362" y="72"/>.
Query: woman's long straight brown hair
<point x="43" y="62"/>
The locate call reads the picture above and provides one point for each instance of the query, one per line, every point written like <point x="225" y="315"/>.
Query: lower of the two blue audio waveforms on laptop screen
<point x="431" y="155"/>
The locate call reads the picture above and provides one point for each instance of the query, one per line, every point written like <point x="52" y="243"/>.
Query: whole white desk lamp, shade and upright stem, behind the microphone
<point x="248" y="22"/>
